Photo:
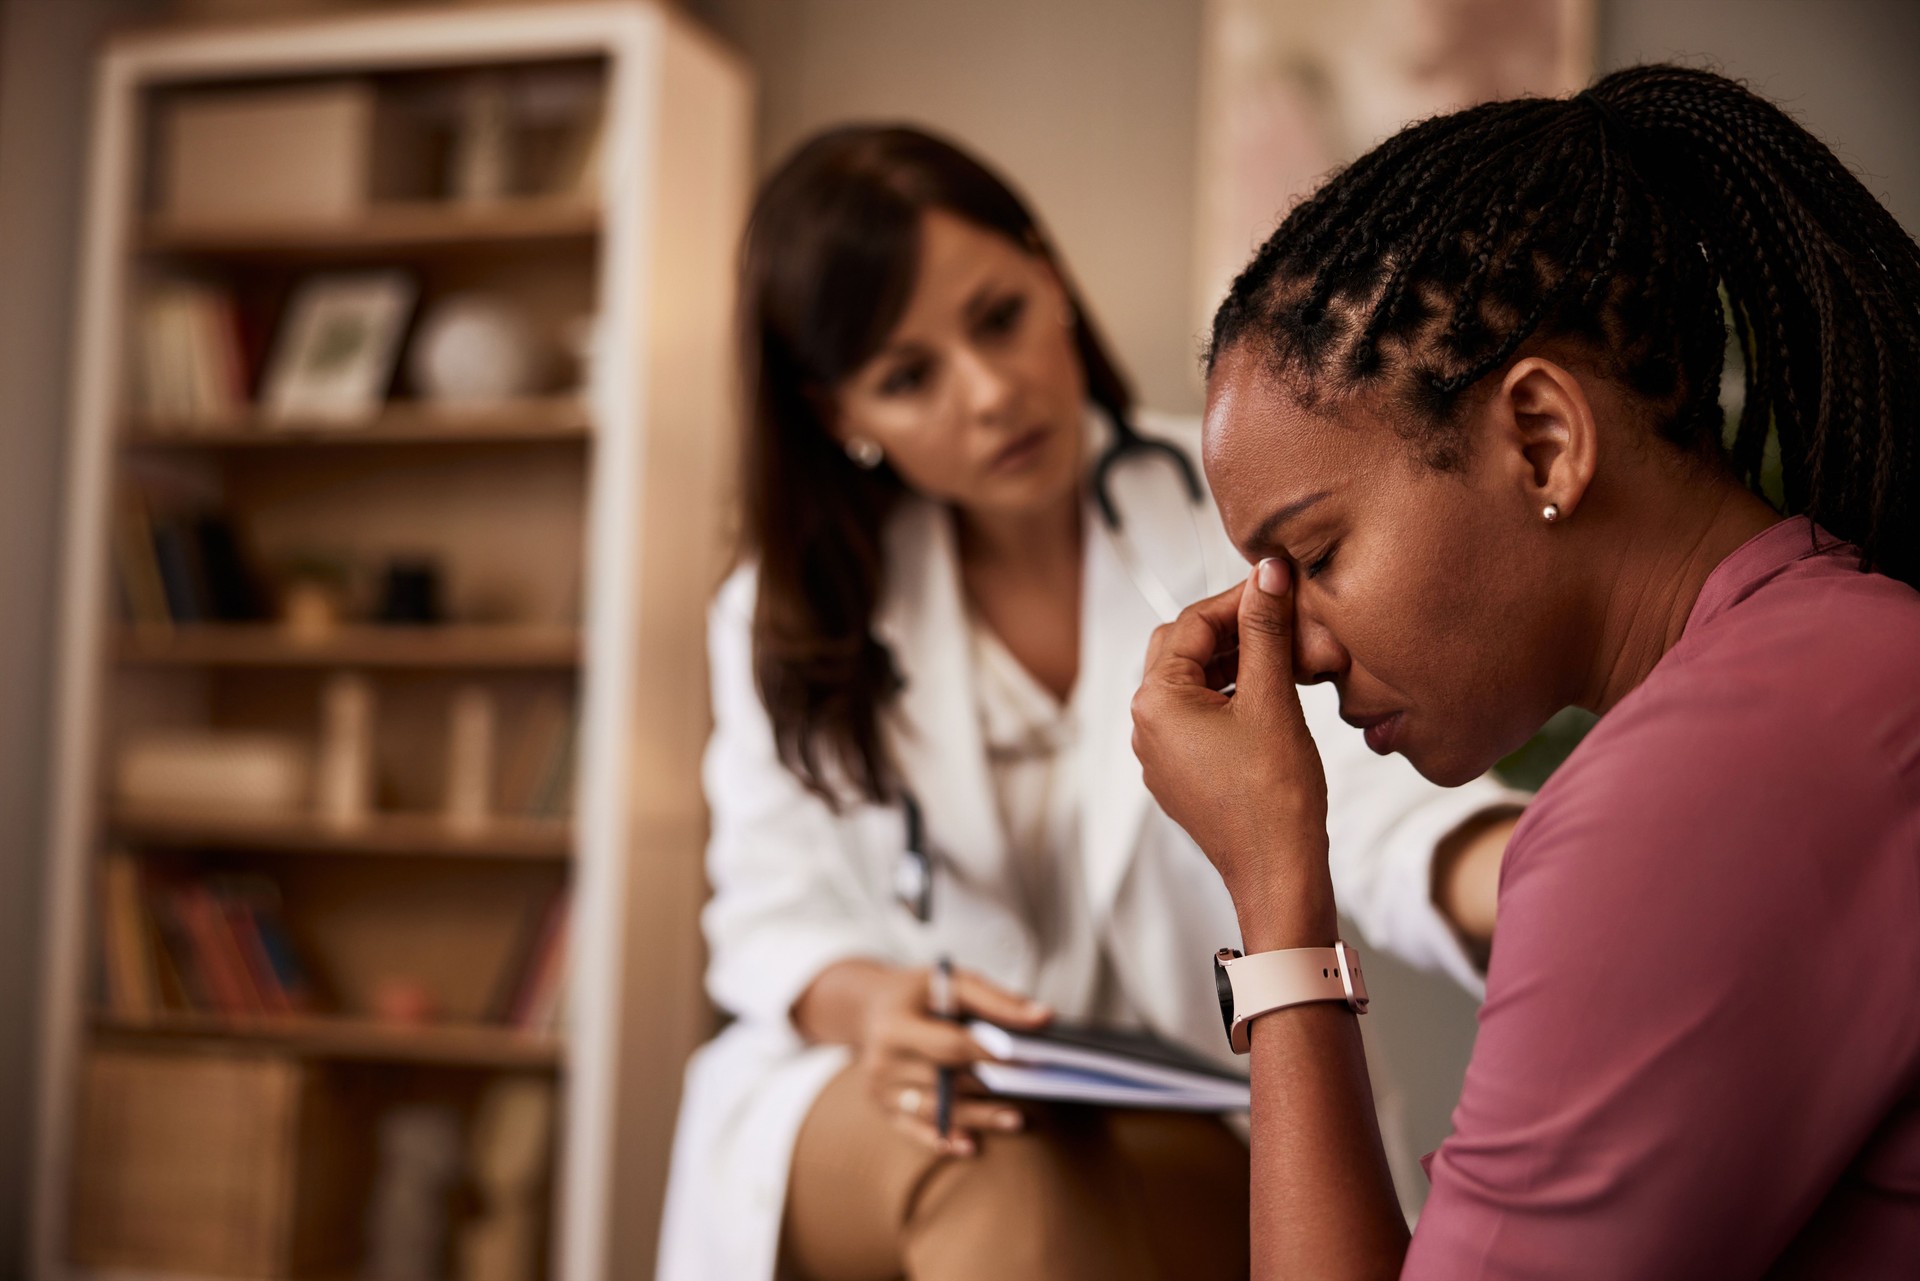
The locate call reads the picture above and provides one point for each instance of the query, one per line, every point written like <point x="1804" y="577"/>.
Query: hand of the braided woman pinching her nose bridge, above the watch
<point x="1241" y="773"/>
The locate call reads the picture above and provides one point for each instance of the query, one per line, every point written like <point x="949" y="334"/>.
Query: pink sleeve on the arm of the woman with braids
<point x="1683" y="1044"/>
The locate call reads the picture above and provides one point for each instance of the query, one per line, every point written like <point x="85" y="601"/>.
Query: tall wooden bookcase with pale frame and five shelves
<point x="602" y="504"/>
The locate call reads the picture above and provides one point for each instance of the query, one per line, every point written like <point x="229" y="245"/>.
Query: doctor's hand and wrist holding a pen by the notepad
<point x="901" y="1044"/>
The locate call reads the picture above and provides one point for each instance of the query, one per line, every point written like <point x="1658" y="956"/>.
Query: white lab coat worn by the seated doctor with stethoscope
<point x="800" y="888"/>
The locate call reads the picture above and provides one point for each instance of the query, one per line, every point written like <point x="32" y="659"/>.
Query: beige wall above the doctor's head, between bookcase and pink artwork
<point x="1086" y="105"/>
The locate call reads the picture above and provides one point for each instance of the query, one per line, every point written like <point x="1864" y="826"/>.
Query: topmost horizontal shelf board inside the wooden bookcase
<point x="414" y="228"/>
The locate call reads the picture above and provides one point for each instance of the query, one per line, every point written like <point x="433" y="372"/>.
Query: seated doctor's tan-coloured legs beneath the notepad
<point x="1082" y="1194"/>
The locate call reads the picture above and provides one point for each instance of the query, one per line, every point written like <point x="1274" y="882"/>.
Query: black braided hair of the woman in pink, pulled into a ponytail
<point x="1618" y="220"/>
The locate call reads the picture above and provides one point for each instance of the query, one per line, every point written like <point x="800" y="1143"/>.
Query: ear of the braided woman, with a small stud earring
<point x="1547" y="422"/>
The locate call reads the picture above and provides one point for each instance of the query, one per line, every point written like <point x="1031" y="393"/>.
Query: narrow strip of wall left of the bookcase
<point x="45" y="84"/>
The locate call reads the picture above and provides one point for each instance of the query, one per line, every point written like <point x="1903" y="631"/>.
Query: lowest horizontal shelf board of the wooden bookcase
<point x="318" y="1036"/>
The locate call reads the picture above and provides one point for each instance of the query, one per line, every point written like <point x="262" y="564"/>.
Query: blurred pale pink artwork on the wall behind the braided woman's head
<point x="1295" y="89"/>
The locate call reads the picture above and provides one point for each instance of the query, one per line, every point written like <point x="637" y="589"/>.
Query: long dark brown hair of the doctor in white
<point x="828" y="266"/>
